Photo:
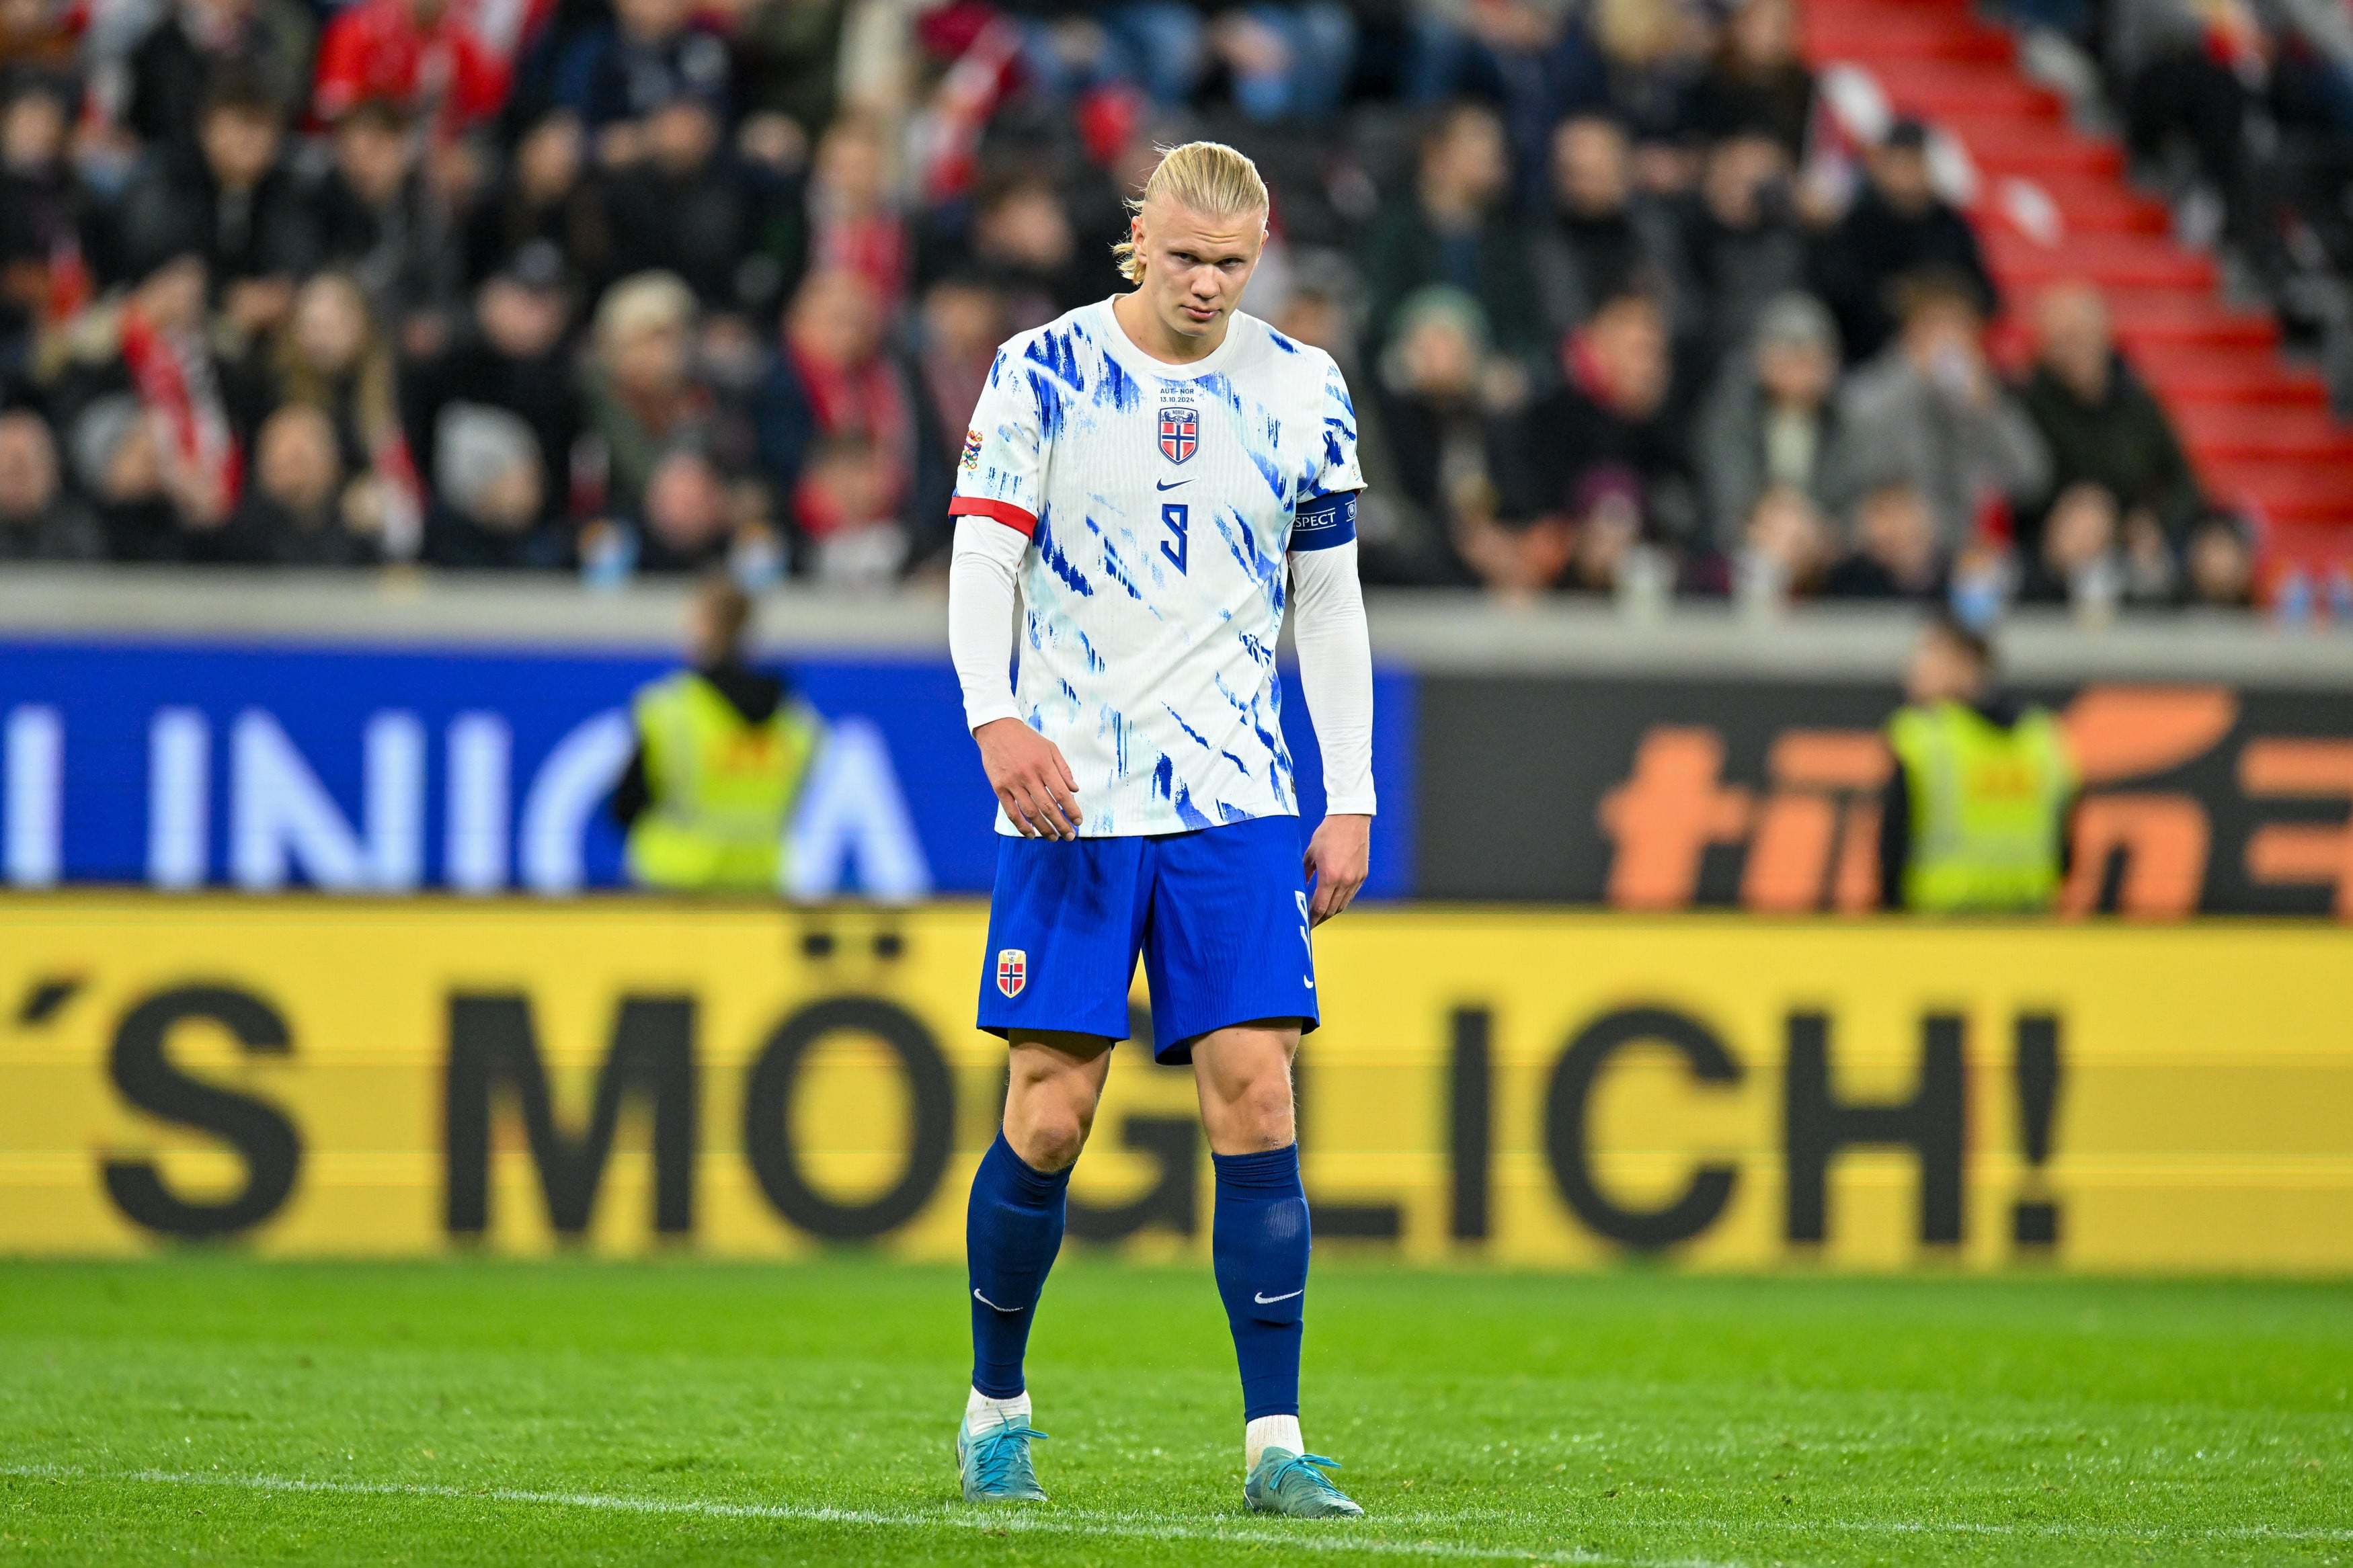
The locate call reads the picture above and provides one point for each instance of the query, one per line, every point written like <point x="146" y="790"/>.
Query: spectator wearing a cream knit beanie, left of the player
<point x="641" y="396"/>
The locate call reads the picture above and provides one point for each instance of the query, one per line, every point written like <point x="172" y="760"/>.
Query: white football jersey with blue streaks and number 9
<point x="1159" y="502"/>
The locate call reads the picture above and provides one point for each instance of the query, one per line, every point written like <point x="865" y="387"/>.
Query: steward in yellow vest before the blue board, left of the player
<point x="721" y="758"/>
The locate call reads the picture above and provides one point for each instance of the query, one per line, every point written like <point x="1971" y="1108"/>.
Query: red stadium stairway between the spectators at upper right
<point x="2053" y="203"/>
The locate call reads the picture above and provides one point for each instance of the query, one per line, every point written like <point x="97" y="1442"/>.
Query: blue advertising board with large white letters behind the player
<point x="488" y="770"/>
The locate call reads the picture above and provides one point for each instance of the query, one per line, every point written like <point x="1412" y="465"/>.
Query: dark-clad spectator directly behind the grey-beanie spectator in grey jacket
<point x="1740" y="241"/>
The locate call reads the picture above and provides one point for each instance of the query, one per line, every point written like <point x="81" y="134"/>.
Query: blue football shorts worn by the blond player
<point x="1218" y="913"/>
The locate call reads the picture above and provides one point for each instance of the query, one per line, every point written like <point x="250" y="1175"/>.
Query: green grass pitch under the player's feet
<point x="218" y="1409"/>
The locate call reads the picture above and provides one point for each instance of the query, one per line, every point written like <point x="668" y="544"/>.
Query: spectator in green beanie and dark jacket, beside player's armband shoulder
<point x="1446" y="401"/>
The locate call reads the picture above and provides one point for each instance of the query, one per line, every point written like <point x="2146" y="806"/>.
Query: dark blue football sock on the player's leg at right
<point x="1262" y="1271"/>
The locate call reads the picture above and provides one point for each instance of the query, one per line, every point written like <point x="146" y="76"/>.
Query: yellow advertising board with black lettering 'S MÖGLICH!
<point x="418" y="1076"/>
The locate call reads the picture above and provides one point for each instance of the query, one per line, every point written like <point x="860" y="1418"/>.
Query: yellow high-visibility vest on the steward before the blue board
<point x="721" y="789"/>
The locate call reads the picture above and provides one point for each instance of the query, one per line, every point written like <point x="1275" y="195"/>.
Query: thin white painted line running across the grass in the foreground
<point x="996" y="1522"/>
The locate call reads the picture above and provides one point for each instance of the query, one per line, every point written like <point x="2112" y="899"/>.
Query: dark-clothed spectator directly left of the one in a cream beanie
<point x="512" y="359"/>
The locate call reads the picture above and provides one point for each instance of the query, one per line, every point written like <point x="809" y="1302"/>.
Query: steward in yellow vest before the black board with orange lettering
<point x="1978" y="812"/>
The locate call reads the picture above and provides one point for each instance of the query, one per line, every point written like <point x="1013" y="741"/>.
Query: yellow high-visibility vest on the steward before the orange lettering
<point x="1987" y="810"/>
